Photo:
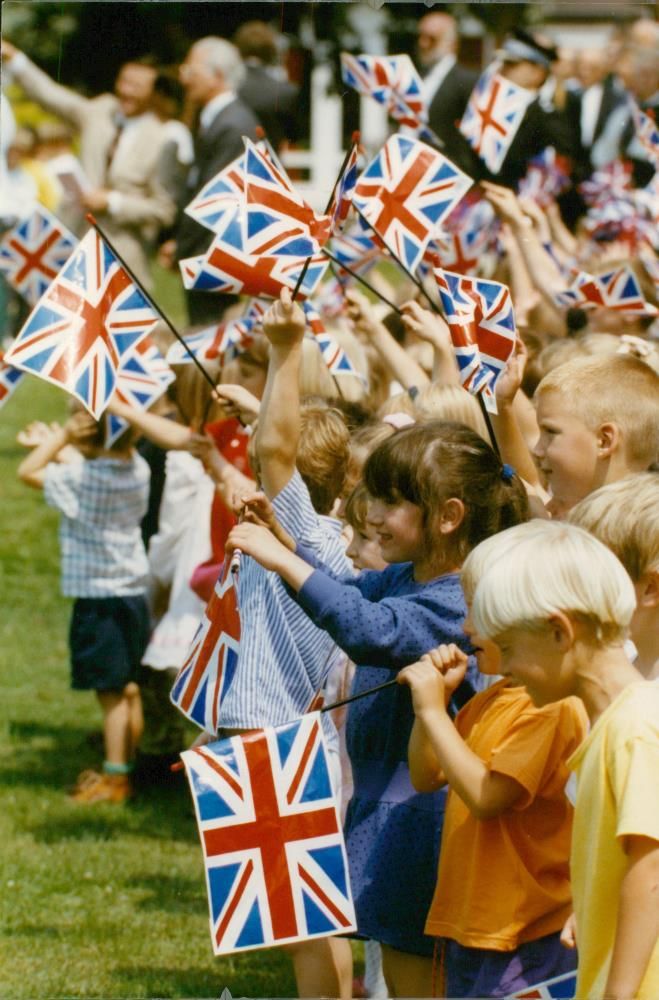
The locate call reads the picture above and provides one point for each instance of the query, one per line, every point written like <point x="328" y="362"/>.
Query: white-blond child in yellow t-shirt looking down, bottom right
<point x="562" y="633"/>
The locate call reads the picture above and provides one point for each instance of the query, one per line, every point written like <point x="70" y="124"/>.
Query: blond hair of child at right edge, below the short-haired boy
<point x="624" y="516"/>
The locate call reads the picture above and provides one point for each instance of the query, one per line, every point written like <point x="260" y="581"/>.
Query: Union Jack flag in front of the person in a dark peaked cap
<point x="493" y="115"/>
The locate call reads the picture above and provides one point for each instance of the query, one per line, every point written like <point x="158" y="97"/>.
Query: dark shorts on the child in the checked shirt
<point x="107" y="639"/>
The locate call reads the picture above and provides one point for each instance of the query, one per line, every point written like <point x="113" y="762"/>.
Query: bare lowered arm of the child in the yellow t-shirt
<point x="637" y="930"/>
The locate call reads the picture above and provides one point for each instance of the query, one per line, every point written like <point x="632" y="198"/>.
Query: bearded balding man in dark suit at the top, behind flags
<point x="446" y="84"/>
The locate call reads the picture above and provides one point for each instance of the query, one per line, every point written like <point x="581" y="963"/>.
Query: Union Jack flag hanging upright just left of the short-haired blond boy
<point x="481" y="321"/>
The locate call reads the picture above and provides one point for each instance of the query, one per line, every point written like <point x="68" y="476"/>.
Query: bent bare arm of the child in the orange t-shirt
<point x="486" y="793"/>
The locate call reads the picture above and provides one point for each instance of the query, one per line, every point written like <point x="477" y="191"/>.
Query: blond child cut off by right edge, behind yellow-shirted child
<point x="625" y="517"/>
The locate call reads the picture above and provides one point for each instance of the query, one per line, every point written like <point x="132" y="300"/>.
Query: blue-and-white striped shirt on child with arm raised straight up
<point x="284" y="658"/>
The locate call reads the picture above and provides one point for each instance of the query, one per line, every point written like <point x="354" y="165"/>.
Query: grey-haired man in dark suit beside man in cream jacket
<point x="211" y="75"/>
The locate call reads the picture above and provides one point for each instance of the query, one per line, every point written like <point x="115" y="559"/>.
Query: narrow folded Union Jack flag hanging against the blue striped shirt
<point x="211" y="663"/>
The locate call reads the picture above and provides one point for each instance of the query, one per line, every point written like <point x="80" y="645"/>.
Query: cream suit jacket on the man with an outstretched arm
<point x="144" y="205"/>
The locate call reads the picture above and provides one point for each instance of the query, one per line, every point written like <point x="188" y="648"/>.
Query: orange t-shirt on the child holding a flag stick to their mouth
<point x="505" y="880"/>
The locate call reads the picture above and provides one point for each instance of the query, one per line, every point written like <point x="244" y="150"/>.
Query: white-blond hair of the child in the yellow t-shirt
<point x="534" y="570"/>
